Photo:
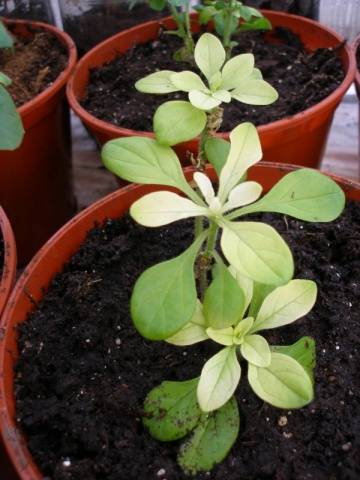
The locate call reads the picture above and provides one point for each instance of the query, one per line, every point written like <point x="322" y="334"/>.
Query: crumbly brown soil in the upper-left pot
<point x="34" y="66"/>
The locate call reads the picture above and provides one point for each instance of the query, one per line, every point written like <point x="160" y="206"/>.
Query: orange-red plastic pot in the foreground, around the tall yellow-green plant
<point x="50" y="260"/>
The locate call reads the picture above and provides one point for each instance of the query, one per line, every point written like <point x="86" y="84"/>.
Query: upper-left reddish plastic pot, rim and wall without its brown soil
<point x="35" y="180"/>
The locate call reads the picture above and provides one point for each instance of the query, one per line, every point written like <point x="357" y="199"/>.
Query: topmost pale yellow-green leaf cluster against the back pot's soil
<point x="236" y="79"/>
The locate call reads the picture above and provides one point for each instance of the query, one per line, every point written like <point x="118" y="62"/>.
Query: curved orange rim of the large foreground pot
<point x="14" y="441"/>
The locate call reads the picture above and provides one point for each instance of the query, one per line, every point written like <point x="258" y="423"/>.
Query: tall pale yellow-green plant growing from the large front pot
<point x="235" y="281"/>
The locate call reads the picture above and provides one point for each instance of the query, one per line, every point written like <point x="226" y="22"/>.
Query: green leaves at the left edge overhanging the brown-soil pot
<point x="11" y="128"/>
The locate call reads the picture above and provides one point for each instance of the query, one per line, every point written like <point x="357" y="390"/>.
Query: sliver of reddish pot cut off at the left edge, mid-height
<point x="8" y="273"/>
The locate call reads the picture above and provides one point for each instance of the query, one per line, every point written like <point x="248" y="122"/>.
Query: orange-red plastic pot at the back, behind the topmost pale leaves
<point x="299" y="139"/>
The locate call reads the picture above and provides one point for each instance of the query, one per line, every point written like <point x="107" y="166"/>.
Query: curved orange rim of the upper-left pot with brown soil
<point x="63" y="77"/>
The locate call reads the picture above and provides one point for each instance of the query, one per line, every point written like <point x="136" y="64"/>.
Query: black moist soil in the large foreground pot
<point x="84" y="372"/>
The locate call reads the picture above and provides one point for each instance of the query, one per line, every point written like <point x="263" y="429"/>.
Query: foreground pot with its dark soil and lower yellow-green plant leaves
<point x="85" y="370"/>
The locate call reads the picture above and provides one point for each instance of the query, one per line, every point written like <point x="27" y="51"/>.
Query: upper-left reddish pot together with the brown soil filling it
<point x="35" y="179"/>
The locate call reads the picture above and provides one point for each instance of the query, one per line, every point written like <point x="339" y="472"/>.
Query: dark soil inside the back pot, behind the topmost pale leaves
<point x="301" y="78"/>
